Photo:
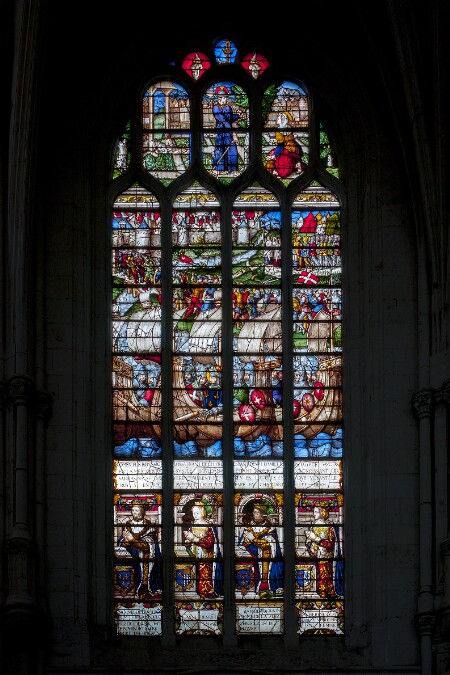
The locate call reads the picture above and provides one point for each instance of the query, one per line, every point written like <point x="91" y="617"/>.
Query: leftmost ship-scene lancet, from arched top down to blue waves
<point x="136" y="328"/>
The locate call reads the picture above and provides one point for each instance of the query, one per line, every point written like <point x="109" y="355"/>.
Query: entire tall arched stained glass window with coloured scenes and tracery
<point x="227" y="356"/>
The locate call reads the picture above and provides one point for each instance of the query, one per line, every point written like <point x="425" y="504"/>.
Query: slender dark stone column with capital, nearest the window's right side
<point x="423" y="403"/>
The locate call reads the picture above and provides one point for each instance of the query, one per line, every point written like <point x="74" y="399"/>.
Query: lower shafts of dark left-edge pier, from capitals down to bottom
<point x="23" y="620"/>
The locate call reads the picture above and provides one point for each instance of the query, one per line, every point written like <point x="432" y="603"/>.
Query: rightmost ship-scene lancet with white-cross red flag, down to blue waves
<point x="317" y="331"/>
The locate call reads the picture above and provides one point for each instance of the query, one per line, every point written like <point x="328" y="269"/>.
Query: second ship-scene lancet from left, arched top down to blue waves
<point x="197" y="324"/>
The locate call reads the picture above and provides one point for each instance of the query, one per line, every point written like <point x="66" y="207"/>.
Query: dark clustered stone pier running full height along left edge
<point x="23" y="628"/>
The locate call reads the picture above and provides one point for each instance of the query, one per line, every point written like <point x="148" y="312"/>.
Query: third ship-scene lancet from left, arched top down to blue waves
<point x="256" y="308"/>
